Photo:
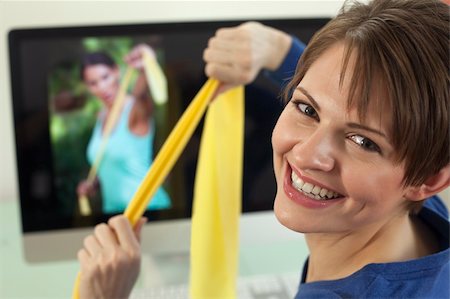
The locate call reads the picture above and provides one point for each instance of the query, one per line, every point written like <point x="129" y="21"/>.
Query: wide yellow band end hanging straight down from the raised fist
<point x="217" y="200"/>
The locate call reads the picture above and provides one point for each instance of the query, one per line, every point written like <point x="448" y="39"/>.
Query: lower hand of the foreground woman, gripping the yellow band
<point x="110" y="259"/>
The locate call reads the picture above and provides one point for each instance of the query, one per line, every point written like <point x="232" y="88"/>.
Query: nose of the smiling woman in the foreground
<point x="315" y="152"/>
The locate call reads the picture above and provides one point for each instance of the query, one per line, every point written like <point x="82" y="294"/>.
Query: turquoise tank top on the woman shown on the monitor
<point x="125" y="162"/>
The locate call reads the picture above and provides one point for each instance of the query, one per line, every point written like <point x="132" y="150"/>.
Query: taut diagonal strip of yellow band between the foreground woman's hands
<point x="166" y="157"/>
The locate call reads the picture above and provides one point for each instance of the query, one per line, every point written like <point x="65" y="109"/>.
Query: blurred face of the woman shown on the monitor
<point x="102" y="81"/>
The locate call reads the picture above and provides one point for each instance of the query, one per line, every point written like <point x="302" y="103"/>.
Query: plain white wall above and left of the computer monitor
<point x="25" y="14"/>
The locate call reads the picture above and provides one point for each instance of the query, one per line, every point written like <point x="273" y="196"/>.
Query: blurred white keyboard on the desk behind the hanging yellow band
<point x="267" y="286"/>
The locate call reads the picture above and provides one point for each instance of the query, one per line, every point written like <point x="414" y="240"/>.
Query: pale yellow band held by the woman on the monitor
<point x="158" y="88"/>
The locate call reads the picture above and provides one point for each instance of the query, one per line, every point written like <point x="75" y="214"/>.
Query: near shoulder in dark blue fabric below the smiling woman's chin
<point x="422" y="278"/>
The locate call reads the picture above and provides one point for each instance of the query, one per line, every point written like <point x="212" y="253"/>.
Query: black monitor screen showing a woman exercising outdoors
<point x="57" y="112"/>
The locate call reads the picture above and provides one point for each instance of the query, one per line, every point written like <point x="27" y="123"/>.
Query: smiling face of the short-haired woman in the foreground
<point x="323" y="150"/>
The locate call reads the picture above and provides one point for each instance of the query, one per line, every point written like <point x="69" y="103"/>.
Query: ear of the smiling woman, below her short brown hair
<point x="432" y="185"/>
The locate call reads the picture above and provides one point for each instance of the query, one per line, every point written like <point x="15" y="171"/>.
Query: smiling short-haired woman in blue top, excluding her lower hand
<point x="361" y="148"/>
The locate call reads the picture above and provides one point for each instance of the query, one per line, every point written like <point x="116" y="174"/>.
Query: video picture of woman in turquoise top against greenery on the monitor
<point x="106" y="166"/>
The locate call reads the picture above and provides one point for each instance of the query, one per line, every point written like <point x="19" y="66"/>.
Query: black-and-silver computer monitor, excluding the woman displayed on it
<point x="54" y="116"/>
